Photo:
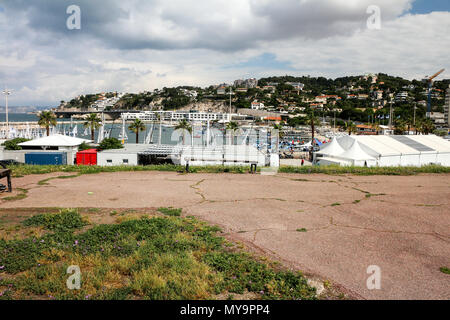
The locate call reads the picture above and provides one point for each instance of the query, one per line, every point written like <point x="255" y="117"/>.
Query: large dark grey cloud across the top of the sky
<point x="184" y="24"/>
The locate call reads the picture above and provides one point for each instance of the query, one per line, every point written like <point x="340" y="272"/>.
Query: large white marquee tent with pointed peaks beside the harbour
<point x="385" y="151"/>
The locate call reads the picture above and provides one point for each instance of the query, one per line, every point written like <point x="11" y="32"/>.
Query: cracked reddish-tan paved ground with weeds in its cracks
<point x="401" y="224"/>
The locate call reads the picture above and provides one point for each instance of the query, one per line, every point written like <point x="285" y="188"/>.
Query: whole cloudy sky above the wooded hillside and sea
<point x="138" y="45"/>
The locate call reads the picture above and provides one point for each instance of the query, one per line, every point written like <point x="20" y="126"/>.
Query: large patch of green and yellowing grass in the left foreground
<point x="159" y="258"/>
